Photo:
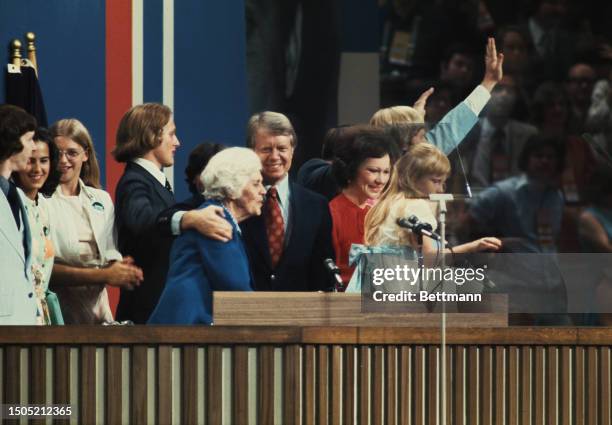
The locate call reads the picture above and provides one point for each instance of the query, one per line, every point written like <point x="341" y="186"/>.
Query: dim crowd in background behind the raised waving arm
<point x="553" y="105"/>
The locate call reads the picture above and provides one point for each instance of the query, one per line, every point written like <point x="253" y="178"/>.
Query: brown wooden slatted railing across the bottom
<point x="293" y="375"/>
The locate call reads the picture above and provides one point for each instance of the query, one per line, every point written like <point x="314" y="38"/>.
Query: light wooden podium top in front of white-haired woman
<point x="341" y="309"/>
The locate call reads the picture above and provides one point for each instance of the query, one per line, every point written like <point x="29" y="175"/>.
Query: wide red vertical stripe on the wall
<point x="118" y="89"/>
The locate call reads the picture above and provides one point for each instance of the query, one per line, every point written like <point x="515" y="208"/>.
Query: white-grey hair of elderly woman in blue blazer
<point x="228" y="172"/>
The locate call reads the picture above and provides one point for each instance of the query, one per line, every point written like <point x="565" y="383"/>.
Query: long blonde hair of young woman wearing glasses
<point x="74" y="130"/>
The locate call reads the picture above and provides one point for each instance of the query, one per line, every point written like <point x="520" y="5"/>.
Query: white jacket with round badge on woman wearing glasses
<point x="101" y="212"/>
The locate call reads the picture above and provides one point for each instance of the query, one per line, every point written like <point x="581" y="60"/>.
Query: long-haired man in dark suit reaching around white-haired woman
<point x="146" y="141"/>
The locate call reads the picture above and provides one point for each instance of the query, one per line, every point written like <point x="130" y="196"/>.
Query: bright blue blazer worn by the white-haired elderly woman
<point x="199" y="266"/>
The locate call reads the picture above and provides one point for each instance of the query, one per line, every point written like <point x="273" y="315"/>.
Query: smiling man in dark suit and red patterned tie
<point x="288" y="243"/>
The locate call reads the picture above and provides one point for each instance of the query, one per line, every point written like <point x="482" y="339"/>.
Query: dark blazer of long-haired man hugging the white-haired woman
<point x="139" y="199"/>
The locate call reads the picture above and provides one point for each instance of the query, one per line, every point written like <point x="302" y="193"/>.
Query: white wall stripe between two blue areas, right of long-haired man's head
<point x="168" y="66"/>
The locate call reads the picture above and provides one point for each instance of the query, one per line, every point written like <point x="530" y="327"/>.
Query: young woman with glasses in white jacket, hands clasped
<point x="82" y="226"/>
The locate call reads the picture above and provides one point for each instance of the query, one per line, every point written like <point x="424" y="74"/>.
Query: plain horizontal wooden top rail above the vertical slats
<point x="283" y="335"/>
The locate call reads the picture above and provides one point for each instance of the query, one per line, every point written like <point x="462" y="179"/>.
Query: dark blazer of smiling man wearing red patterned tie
<point x="307" y="244"/>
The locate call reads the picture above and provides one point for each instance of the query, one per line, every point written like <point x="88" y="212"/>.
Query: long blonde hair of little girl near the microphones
<point x="421" y="160"/>
